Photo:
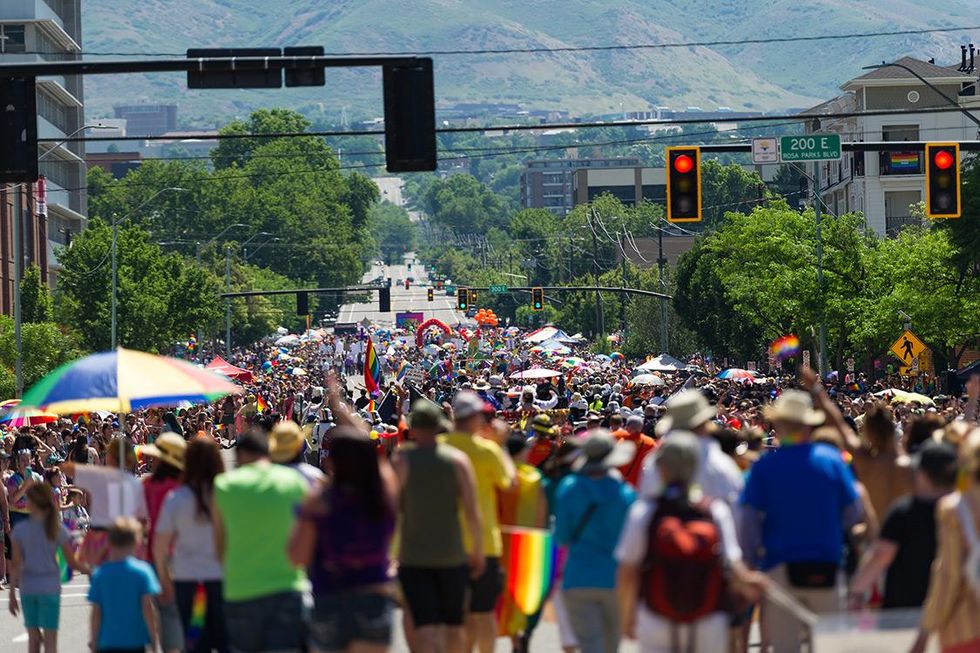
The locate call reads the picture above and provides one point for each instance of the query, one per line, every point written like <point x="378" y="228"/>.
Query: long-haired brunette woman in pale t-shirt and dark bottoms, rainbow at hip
<point x="187" y="564"/>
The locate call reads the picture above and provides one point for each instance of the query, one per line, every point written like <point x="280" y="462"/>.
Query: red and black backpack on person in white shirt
<point x="683" y="576"/>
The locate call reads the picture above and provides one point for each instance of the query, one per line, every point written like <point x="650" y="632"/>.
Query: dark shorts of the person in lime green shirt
<point x="269" y="623"/>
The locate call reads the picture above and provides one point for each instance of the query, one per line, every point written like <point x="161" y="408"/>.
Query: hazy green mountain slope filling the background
<point x="759" y="76"/>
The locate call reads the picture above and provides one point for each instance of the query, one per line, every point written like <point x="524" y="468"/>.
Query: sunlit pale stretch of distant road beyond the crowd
<point x="414" y="299"/>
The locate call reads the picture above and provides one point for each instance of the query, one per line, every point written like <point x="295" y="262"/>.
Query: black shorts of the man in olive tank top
<point x="435" y="595"/>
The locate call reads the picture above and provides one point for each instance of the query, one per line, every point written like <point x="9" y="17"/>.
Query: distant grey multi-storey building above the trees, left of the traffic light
<point x="548" y="183"/>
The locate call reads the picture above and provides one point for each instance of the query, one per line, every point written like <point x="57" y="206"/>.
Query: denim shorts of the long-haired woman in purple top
<point x="342" y="618"/>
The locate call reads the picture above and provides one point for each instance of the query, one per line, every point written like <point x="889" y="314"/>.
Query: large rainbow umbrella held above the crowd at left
<point x="122" y="381"/>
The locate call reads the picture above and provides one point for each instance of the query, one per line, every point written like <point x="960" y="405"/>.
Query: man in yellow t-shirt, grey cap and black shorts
<point x="494" y="472"/>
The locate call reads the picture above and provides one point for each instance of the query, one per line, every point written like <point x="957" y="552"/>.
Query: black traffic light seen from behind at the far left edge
<point x="18" y="130"/>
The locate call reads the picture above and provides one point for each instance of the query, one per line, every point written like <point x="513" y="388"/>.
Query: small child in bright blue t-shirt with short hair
<point x="121" y="594"/>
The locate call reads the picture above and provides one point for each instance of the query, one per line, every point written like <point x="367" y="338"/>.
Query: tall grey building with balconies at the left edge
<point x="53" y="209"/>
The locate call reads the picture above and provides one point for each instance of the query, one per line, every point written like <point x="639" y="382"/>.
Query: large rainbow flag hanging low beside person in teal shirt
<point x="530" y="567"/>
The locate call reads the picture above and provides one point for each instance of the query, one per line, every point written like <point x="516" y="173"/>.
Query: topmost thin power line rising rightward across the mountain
<point x="586" y="48"/>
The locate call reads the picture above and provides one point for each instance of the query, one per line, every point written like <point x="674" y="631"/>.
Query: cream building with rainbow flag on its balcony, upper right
<point x="883" y="185"/>
